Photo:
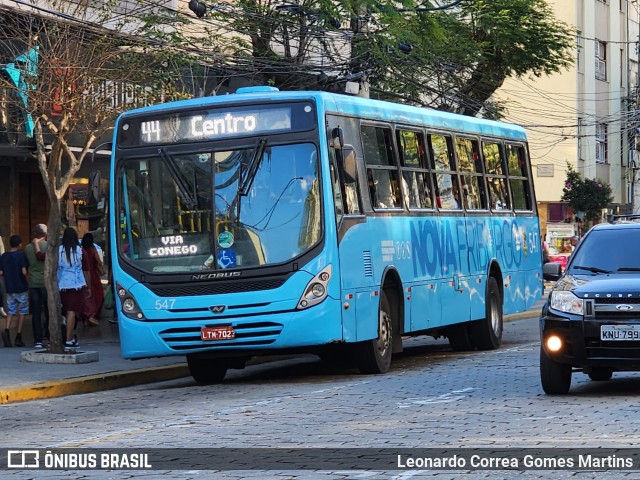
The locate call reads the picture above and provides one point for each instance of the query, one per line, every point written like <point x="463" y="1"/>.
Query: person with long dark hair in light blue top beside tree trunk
<point x="73" y="279"/>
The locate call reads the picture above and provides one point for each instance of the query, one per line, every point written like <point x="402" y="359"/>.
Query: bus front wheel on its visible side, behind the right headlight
<point x="374" y="356"/>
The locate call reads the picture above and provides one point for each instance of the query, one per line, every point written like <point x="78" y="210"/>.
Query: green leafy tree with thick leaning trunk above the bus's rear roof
<point x="458" y="64"/>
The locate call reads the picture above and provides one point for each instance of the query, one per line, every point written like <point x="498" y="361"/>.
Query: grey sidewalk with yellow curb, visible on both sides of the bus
<point x="22" y="381"/>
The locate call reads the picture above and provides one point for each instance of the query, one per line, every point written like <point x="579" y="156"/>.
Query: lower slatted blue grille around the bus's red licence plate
<point x="247" y="335"/>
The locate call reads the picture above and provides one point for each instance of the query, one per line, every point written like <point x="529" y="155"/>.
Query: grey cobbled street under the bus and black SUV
<point x="431" y="398"/>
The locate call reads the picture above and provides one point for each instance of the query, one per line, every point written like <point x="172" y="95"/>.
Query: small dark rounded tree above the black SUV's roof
<point x="587" y="195"/>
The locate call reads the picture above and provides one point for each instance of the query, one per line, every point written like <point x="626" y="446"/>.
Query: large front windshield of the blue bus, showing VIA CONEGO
<point x="218" y="210"/>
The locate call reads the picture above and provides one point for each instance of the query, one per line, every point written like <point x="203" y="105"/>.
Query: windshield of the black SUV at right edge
<point x="607" y="251"/>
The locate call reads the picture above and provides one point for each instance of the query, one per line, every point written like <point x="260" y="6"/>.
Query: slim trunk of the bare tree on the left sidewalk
<point x="51" y="277"/>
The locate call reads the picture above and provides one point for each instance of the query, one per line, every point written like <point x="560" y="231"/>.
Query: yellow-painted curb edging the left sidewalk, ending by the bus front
<point x="92" y="383"/>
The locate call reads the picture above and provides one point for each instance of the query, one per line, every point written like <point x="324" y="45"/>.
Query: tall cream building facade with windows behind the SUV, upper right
<point x="585" y="116"/>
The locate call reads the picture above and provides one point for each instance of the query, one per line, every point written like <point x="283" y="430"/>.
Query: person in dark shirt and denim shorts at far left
<point x="13" y="267"/>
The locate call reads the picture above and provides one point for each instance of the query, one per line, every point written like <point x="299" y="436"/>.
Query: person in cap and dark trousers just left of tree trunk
<point x="35" y="252"/>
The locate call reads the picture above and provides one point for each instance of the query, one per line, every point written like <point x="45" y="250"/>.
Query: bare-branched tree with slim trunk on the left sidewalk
<point x="69" y="69"/>
